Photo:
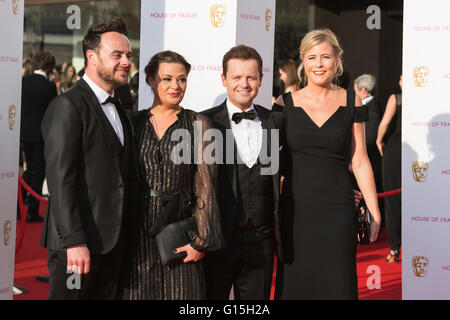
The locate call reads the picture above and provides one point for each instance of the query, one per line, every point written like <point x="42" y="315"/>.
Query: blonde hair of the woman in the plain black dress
<point x="314" y="38"/>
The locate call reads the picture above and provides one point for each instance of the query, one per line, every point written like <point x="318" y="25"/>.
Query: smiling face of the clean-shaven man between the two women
<point x="242" y="80"/>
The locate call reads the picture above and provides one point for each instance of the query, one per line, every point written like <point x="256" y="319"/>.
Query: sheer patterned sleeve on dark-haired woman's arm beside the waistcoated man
<point x="209" y="230"/>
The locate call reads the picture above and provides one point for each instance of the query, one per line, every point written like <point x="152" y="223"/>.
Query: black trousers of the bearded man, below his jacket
<point x="101" y="283"/>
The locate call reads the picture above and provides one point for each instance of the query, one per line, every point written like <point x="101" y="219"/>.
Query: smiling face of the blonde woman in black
<point x="320" y="63"/>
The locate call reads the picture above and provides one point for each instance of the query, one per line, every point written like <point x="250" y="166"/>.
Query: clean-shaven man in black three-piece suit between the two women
<point x="248" y="192"/>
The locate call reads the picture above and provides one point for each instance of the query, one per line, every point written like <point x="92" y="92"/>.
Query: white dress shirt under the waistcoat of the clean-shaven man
<point x="247" y="135"/>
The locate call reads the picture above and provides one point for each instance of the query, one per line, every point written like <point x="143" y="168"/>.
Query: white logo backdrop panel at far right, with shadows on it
<point x="425" y="150"/>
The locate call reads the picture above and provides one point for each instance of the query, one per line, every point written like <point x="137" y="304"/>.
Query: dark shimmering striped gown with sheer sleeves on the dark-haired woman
<point x="146" y="278"/>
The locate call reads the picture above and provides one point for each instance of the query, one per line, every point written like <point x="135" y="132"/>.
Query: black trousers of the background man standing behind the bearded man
<point x="35" y="174"/>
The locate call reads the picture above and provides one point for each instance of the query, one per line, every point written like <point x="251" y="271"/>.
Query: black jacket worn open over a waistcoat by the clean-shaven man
<point x="227" y="194"/>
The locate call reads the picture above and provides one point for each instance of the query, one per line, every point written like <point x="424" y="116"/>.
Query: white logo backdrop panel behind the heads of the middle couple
<point x="203" y="31"/>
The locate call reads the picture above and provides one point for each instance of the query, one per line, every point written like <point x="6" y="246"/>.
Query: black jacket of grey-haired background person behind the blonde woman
<point x="371" y="135"/>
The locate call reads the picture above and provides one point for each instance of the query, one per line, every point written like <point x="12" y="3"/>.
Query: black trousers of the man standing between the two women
<point x="246" y="264"/>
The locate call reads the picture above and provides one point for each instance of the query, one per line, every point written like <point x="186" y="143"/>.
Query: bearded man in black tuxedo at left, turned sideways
<point x="90" y="173"/>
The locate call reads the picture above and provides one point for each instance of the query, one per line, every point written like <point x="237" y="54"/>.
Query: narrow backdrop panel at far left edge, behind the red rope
<point x="11" y="38"/>
